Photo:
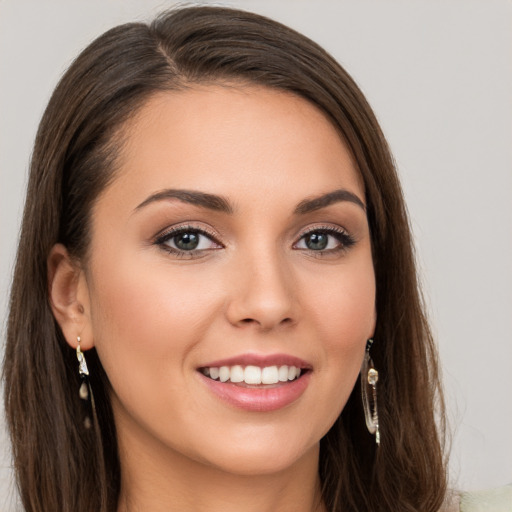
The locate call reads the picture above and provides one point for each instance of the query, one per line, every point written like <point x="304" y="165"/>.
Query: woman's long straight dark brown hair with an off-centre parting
<point x="63" y="467"/>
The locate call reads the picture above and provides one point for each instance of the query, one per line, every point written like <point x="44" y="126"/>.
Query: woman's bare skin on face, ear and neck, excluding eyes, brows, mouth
<point x="155" y="317"/>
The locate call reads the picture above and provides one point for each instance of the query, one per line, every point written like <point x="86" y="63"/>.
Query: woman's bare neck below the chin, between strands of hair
<point x="157" y="479"/>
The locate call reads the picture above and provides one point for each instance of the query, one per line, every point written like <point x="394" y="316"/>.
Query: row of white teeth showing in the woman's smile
<point x="253" y="374"/>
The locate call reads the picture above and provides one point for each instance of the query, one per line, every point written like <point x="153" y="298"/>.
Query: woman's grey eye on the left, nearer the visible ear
<point x="187" y="240"/>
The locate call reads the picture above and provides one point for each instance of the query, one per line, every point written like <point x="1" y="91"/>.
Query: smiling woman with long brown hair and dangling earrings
<point x="213" y="226"/>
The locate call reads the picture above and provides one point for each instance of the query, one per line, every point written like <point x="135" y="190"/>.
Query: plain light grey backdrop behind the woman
<point x="439" y="76"/>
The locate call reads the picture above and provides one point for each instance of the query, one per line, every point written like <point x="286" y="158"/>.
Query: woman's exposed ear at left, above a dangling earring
<point x="69" y="297"/>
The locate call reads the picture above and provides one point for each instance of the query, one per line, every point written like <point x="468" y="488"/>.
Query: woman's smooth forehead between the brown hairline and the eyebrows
<point x="226" y="139"/>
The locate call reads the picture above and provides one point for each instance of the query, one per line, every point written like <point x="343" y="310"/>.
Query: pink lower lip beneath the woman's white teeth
<point x="258" y="399"/>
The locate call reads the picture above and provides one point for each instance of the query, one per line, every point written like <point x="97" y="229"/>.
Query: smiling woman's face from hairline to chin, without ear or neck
<point x="230" y="254"/>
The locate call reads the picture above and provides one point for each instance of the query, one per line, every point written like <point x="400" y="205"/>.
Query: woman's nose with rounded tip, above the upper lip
<point x="262" y="294"/>
